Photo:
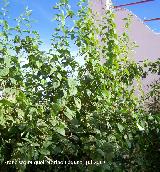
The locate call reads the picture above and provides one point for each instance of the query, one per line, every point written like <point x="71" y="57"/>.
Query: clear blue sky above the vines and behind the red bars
<point x="43" y="13"/>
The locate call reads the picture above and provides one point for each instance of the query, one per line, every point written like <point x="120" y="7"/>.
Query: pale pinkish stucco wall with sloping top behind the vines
<point x="147" y="40"/>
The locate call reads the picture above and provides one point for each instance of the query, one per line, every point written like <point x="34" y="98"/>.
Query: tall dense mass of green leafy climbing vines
<point x="53" y="108"/>
